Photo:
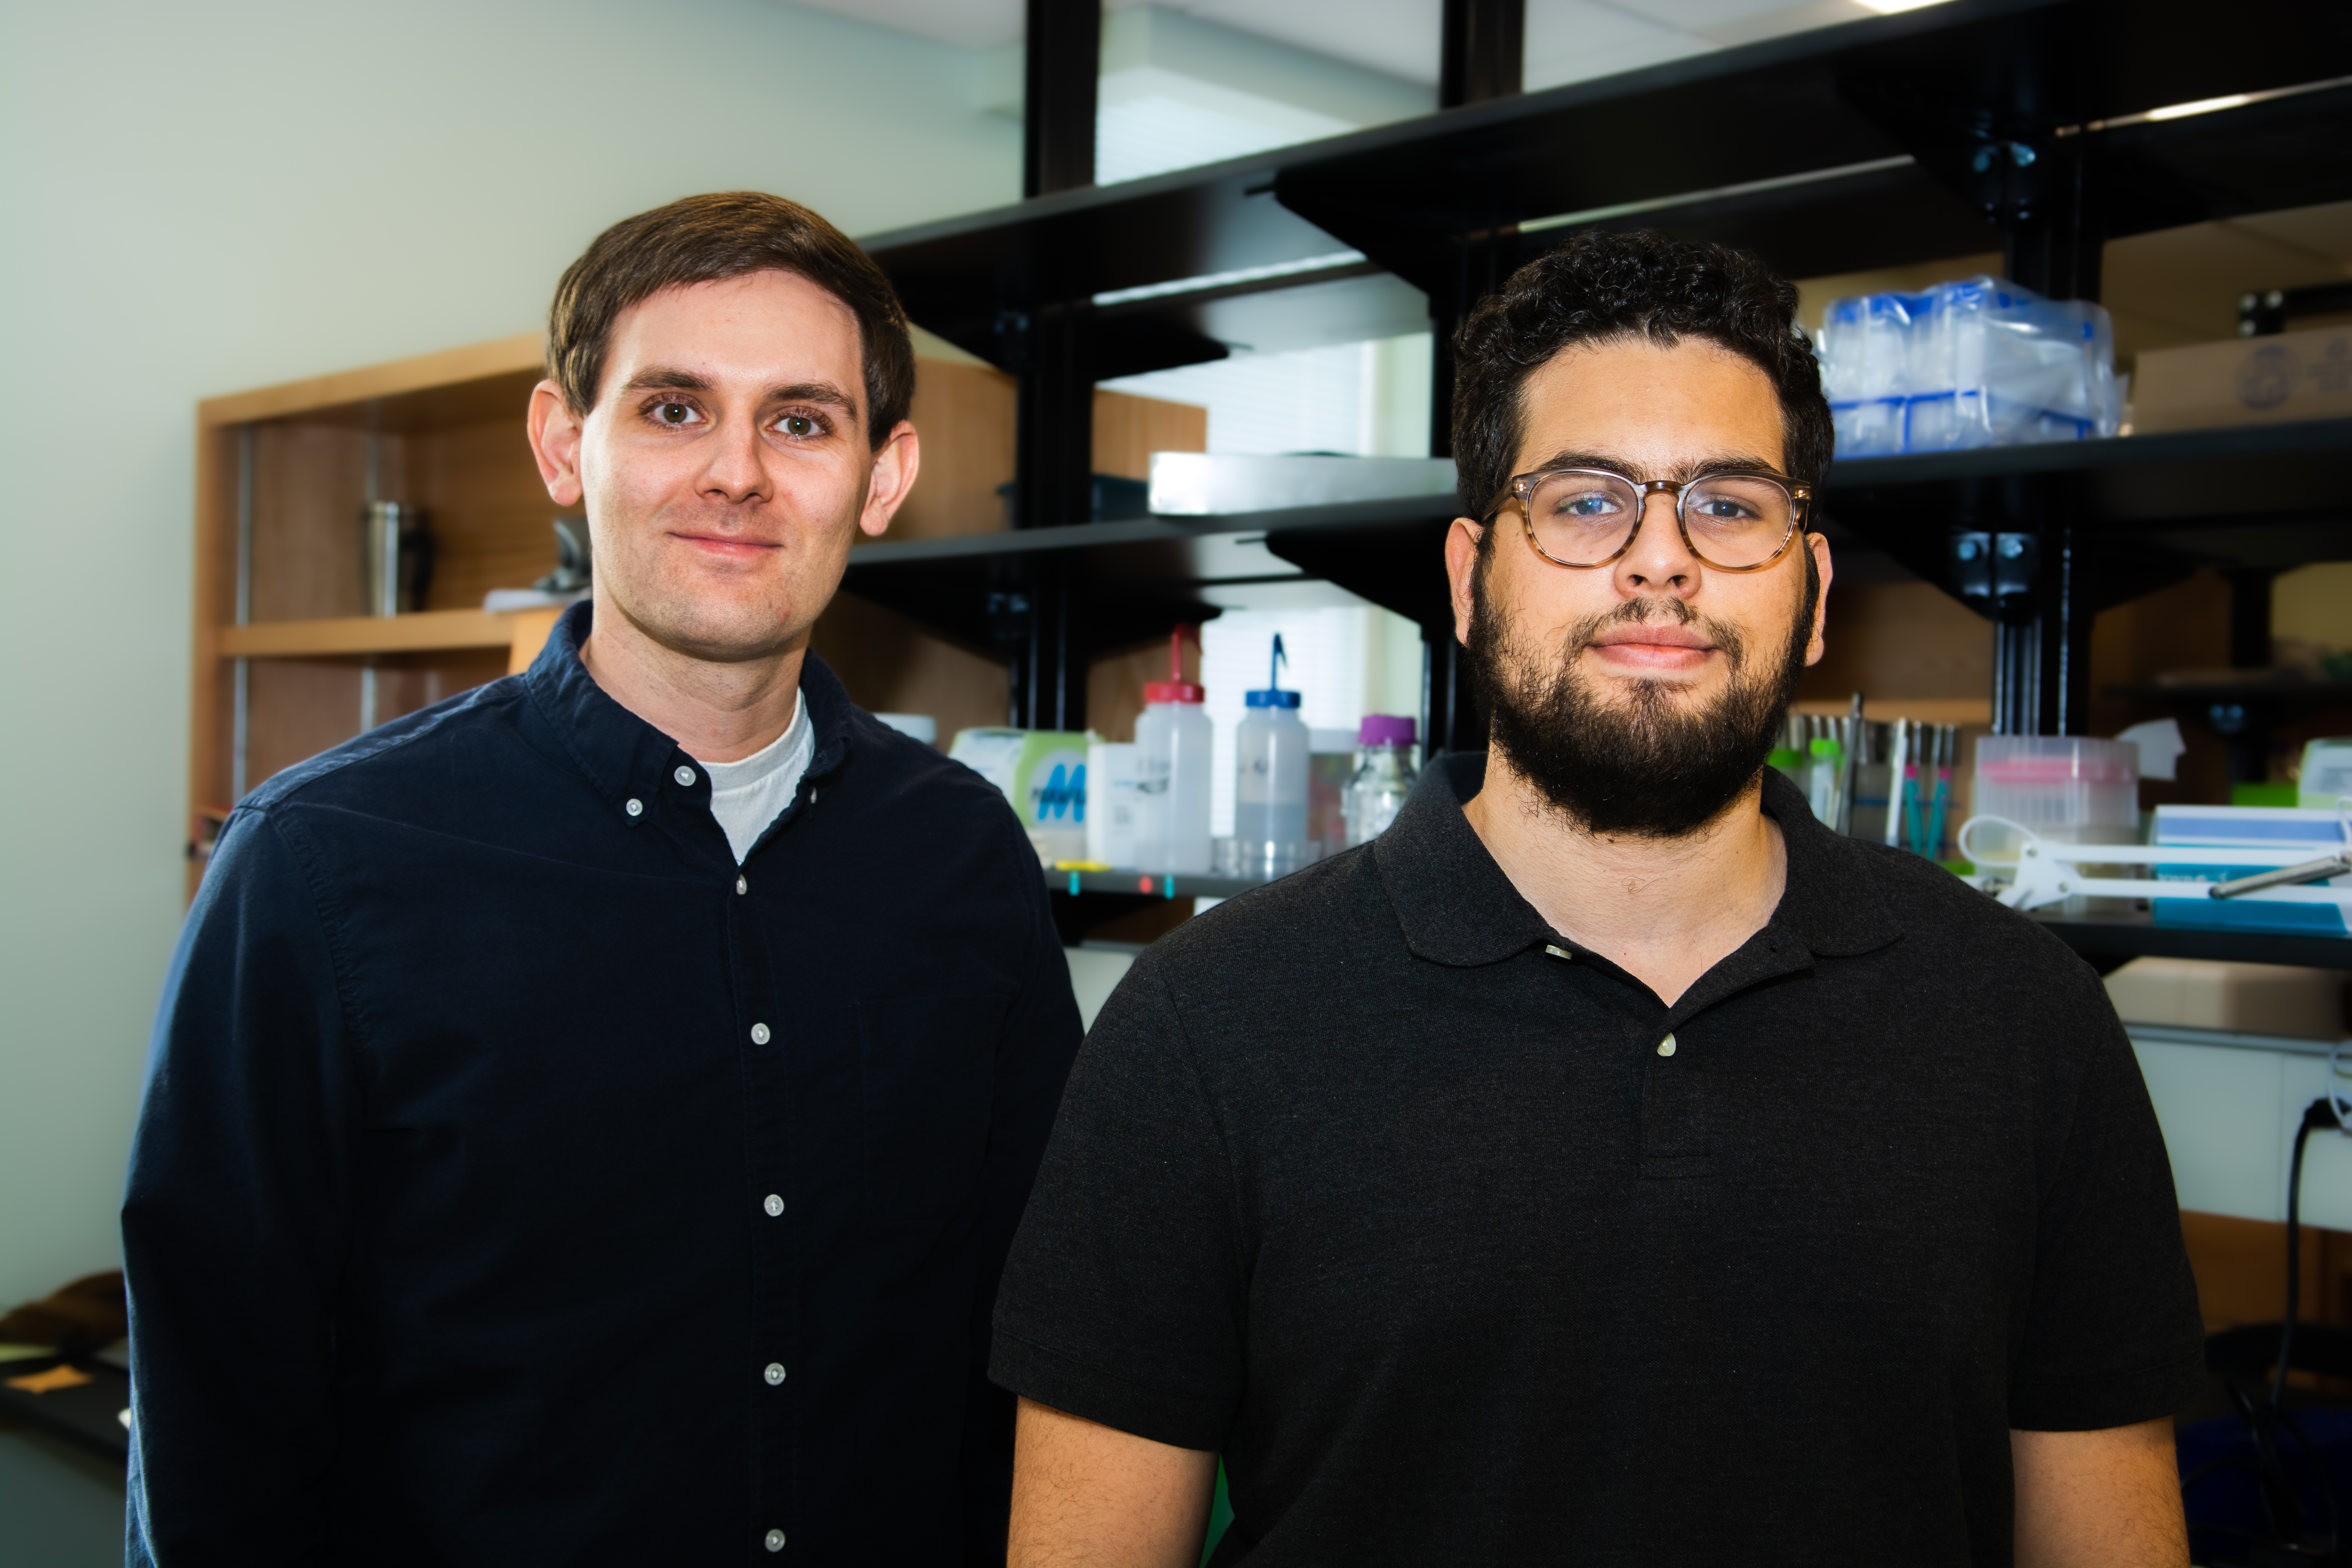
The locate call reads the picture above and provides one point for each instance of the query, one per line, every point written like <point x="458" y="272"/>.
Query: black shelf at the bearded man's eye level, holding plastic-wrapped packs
<point x="2158" y="507"/>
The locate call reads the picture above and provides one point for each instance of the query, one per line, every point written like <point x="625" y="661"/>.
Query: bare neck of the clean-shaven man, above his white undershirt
<point x="714" y="711"/>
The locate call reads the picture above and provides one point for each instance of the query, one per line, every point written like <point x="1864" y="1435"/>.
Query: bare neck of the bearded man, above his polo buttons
<point x="1664" y="911"/>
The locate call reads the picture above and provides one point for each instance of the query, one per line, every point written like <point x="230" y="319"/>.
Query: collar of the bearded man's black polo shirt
<point x="1459" y="909"/>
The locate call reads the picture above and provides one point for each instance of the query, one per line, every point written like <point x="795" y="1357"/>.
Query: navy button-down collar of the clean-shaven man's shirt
<point x="624" y="756"/>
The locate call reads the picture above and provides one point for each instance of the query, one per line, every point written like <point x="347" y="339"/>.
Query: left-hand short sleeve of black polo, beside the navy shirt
<point x="1125" y="1289"/>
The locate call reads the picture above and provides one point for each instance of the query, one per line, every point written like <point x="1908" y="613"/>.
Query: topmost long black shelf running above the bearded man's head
<point x="1824" y="152"/>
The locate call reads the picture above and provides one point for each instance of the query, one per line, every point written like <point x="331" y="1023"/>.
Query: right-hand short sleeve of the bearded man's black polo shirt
<point x="2113" y="1334"/>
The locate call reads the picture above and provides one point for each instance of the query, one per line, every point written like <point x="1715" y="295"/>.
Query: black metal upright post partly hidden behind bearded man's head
<point x="1481" y="58"/>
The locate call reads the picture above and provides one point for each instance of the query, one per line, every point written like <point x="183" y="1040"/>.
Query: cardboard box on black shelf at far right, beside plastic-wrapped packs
<point x="2245" y="382"/>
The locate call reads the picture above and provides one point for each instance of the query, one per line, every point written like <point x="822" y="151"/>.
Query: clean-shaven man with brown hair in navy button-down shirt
<point x="589" y="1115"/>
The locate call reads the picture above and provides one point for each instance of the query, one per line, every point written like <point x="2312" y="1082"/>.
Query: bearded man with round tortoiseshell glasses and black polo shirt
<point x="1610" y="1165"/>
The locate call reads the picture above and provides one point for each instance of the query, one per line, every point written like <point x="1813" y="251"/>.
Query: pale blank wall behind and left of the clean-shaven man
<point x="208" y="199"/>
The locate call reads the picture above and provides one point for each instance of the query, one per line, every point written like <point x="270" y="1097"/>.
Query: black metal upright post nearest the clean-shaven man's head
<point x="1050" y="347"/>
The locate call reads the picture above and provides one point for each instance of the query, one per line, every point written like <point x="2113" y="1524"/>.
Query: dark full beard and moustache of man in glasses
<point x="1643" y="768"/>
